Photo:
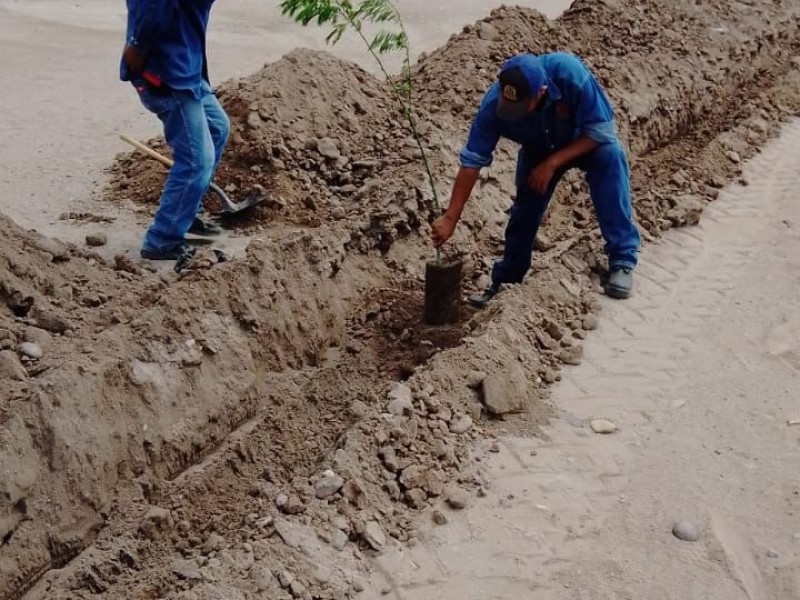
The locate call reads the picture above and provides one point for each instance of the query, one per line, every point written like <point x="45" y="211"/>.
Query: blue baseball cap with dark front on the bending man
<point x="520" y="79"/>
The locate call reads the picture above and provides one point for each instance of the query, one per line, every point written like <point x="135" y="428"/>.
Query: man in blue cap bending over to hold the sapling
<point x="554" y="108"/>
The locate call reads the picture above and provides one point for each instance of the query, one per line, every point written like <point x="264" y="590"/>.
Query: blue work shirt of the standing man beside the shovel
<point x="172" y="35"/>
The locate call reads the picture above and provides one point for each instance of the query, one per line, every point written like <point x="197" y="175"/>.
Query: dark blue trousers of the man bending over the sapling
<point x="608" y="177"/>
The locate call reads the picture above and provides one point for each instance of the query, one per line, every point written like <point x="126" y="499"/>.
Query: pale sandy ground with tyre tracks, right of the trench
<point x="700" y="372"/>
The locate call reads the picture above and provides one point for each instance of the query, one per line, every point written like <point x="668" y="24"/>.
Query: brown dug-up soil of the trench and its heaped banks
<point x="241" y="430"/>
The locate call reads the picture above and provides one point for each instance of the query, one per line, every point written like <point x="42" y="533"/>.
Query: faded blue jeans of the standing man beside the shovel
<point x="196" y="131"/>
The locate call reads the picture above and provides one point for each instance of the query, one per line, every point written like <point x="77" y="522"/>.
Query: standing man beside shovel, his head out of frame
<point x="165" y="60"/>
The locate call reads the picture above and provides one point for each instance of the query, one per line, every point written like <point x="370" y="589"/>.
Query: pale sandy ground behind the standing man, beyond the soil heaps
<point x="64" y="103"/>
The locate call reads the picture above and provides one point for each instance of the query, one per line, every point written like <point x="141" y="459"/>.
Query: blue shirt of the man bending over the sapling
<point x="574" y="105"/>
